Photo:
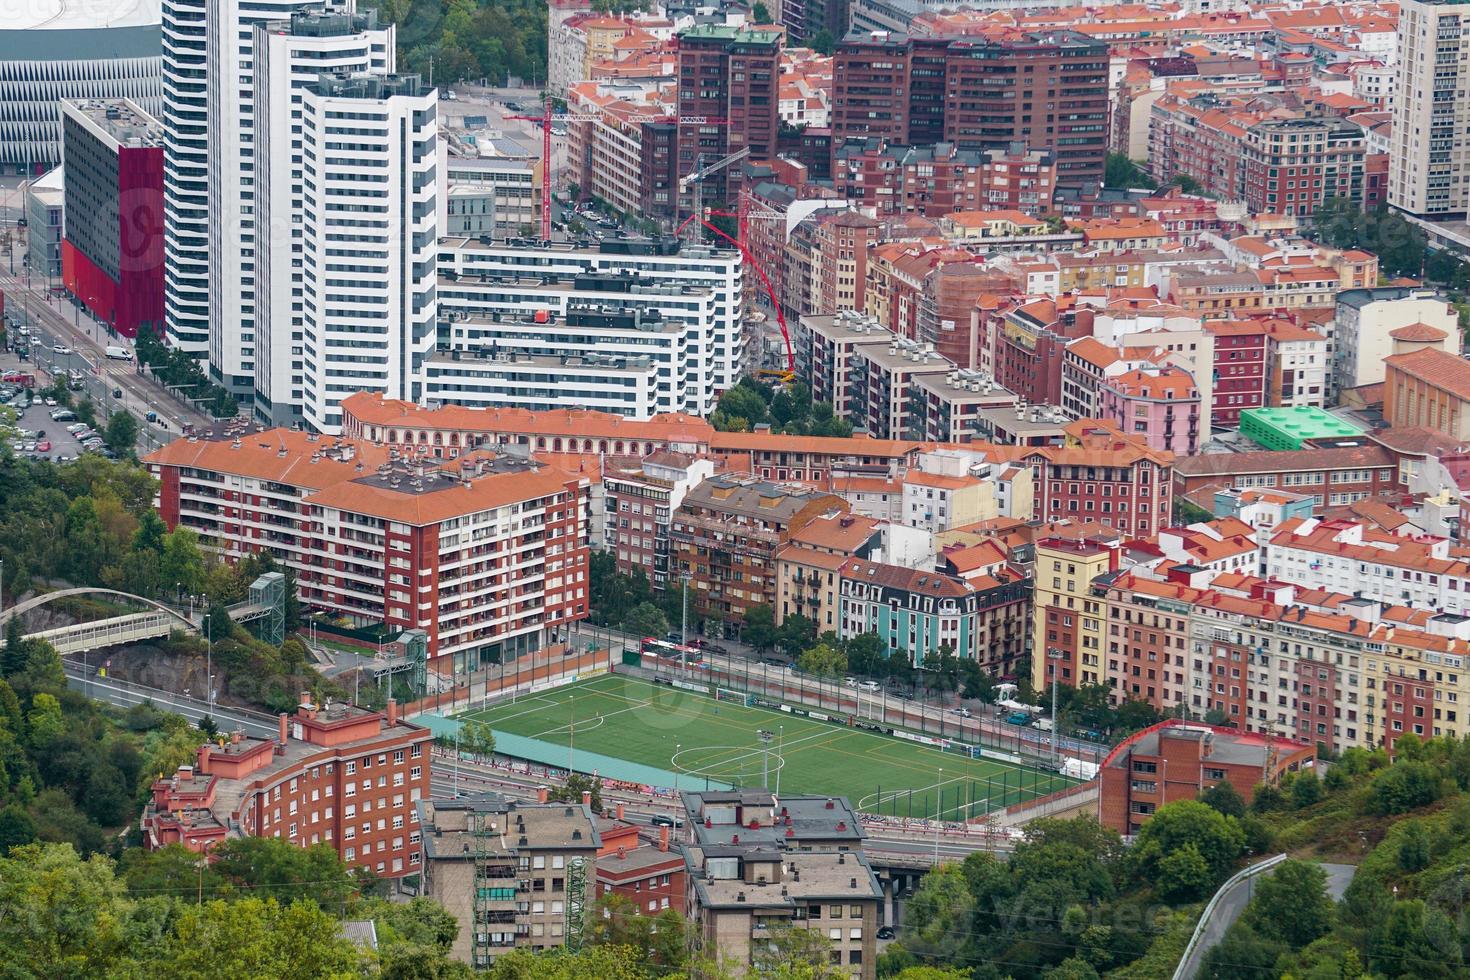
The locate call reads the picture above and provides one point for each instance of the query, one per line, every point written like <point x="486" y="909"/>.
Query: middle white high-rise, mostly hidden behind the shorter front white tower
<point x="289" y="58"/>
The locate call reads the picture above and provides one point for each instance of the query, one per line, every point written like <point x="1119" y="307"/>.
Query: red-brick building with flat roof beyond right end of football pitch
<point x="1178" y="760"/>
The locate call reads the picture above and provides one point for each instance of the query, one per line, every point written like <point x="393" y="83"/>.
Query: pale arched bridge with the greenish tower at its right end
<point x="267" y="603"/>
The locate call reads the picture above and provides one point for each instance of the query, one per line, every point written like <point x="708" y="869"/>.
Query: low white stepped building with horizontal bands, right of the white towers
<point x="683" y="306"/>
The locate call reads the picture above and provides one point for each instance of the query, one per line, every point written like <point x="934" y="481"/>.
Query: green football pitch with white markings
<point x="705" y="738"/>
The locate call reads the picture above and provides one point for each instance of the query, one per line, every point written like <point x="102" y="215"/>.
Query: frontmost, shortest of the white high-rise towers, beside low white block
<point x="370" y="240"/>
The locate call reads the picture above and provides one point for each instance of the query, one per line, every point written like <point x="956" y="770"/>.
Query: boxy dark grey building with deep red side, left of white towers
<point x="112" y="251"/>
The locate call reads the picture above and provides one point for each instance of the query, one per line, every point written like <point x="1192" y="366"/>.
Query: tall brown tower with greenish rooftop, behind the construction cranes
<point x="728" y="102"/>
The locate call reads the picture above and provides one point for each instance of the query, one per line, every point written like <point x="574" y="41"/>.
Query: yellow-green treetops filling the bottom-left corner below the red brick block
<point x="165" y="915"/>
